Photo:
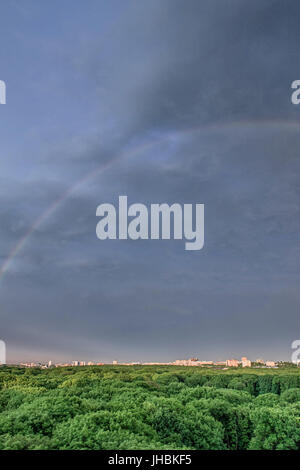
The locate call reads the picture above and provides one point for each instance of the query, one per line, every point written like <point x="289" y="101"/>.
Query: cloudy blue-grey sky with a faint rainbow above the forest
<point x="162" y="101"/>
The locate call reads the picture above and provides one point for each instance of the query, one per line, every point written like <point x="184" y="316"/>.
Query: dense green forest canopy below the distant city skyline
<point x="149" y="407"/>
